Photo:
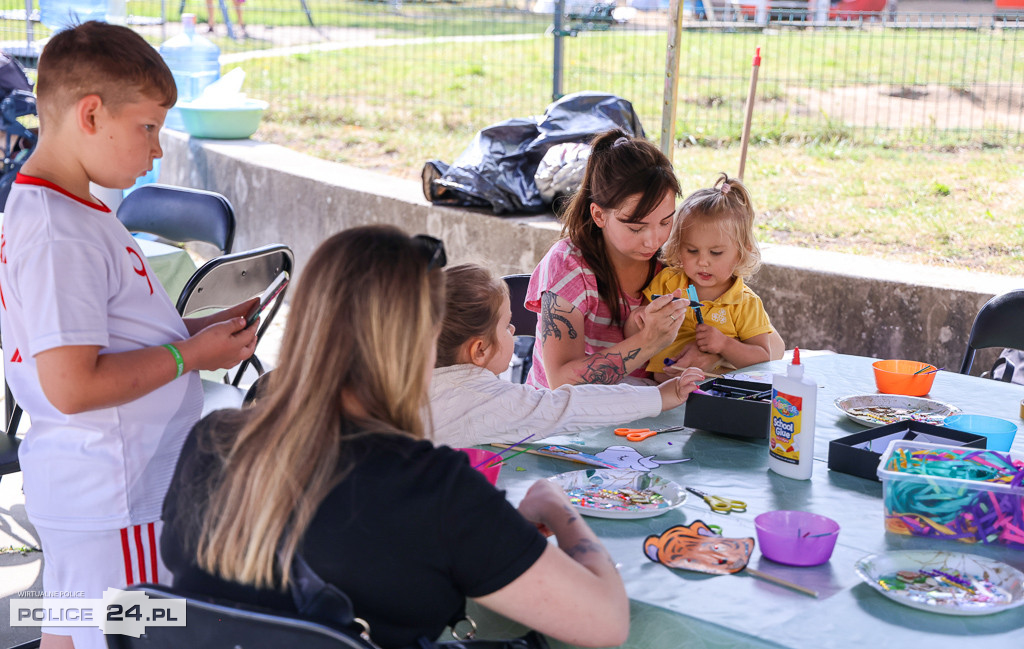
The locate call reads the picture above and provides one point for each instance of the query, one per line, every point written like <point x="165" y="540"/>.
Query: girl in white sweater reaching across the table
<point x="472" y="406"/>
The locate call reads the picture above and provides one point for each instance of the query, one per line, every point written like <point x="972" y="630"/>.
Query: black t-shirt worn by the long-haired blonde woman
<point x="408" y="535"/>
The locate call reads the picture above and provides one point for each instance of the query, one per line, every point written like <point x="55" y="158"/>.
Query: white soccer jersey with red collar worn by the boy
<point x="72" y="275"/>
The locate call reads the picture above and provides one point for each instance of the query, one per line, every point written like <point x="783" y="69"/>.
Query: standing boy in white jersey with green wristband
<point x="94" y="350"/>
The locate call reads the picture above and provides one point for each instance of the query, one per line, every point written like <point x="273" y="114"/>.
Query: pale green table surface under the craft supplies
<point x="676" y="609"/>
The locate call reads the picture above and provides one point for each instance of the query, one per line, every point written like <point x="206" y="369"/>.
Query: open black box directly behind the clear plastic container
<point x="860" y="454"/>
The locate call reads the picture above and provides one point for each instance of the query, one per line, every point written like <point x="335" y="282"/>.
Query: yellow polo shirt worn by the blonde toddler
<point x="738" y="314"/>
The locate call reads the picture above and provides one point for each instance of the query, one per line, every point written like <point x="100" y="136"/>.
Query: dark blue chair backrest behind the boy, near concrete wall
<point x="181" y="215"/>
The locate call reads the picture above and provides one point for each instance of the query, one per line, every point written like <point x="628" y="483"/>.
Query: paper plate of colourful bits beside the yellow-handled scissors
<point x="620" y="494"/>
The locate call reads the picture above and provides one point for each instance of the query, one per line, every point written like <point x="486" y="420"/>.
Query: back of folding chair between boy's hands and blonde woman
<point x="229" y="280"/>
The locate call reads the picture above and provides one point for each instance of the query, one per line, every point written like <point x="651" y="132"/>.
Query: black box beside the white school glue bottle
<point x="731" y="415"/>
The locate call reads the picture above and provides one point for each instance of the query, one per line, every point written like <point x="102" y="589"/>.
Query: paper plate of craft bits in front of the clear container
<point x="951" y="583"/>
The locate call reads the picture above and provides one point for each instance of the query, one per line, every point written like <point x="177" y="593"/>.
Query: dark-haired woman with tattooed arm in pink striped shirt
<point x="591" y="280"/>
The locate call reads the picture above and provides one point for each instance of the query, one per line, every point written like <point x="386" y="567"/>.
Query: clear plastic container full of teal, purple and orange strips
<point x="963" y="498"/>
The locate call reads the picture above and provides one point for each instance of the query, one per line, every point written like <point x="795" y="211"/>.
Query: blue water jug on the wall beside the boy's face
<point x="194" y="61"/>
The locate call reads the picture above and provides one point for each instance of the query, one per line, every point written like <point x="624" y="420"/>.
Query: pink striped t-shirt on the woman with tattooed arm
<point x="565" y="273"/>
